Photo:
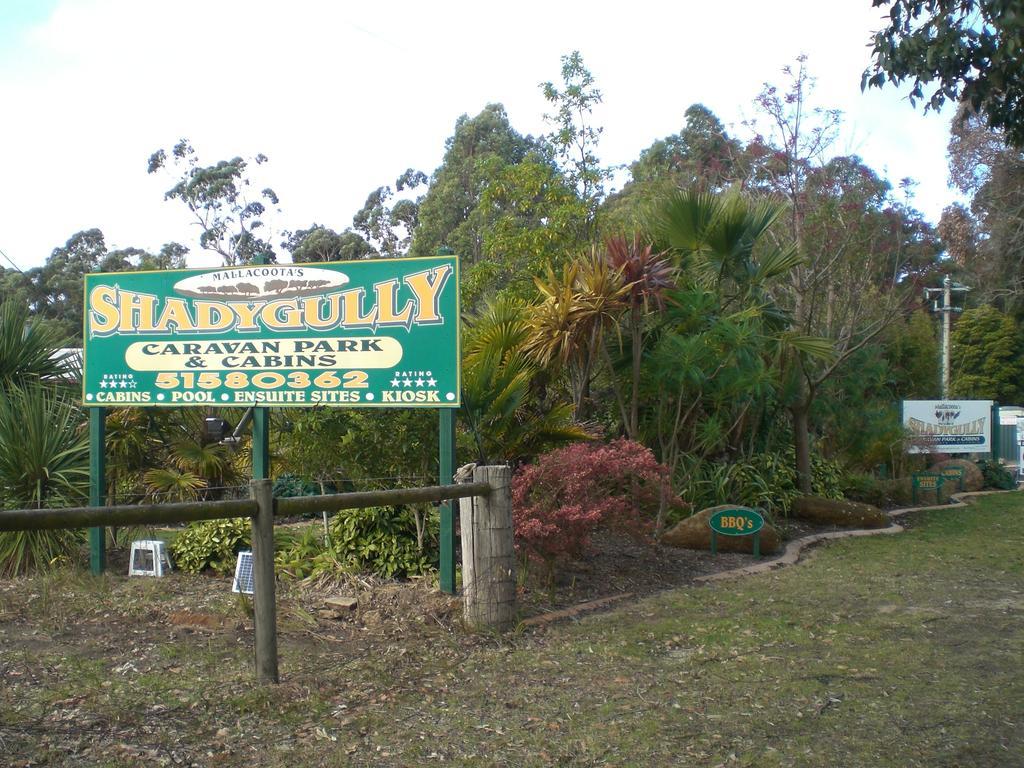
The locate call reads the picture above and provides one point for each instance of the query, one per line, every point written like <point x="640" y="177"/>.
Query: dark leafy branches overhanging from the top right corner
<point x="971" y="50"/>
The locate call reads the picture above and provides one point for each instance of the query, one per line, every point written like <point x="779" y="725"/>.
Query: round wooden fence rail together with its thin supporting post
<point x="263" y="508"/>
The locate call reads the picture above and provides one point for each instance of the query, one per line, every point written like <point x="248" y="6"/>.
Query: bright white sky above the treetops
<point x="344" y="98"/>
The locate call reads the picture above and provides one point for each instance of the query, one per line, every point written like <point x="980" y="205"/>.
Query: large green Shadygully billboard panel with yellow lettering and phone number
<point x="358" y="334"/>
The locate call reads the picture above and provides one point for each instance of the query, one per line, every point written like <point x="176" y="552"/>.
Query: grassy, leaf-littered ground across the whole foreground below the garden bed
<point x="894" y="651"/>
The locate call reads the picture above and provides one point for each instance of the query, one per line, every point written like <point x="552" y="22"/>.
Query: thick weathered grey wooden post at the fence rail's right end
<point x="488" y="553"/>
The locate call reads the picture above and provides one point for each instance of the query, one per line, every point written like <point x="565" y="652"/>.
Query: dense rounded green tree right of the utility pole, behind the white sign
<point x="988" y="357"/>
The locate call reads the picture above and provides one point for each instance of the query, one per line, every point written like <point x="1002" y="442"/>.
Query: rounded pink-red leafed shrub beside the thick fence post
<point x="573" y="492"/>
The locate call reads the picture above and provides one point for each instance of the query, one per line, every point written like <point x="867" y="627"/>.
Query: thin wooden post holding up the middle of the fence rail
<point x="265" y="601"/>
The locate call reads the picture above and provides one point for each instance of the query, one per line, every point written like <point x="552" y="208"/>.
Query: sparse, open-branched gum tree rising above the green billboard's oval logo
<point x="231" y="218"/>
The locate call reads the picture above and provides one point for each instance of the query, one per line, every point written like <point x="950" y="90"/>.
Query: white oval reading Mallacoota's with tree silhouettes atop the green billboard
<point x="270" y="282"/>
